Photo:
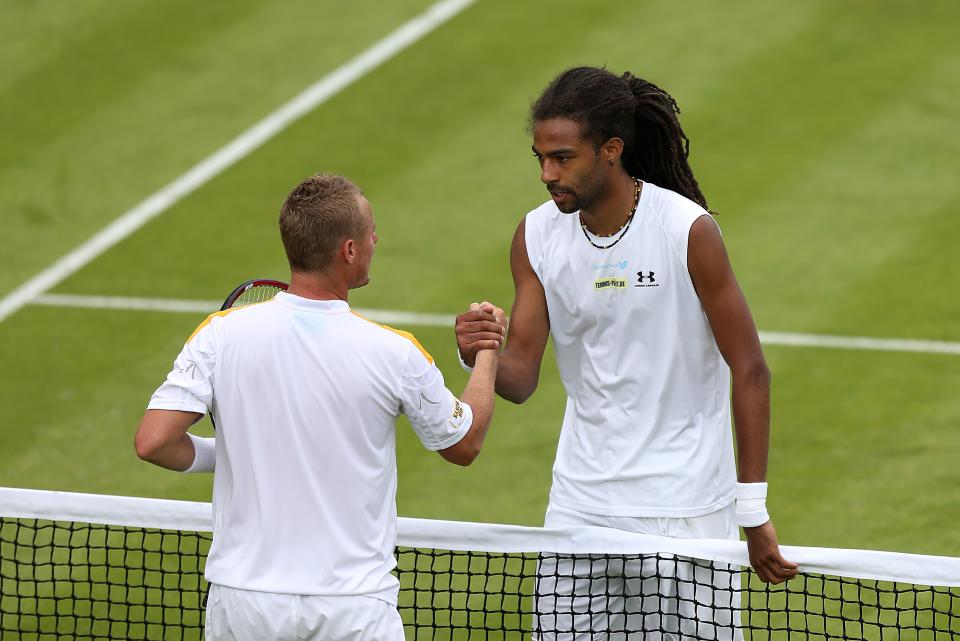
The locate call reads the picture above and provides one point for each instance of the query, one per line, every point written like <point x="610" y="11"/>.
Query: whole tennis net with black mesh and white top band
<point x="80" y="566"/>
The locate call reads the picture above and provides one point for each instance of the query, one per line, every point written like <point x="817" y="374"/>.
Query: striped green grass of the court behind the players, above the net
<point x="824" y="133"/>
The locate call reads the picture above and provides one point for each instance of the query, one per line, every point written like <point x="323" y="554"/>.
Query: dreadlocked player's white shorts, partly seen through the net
<point x="668" y="598"/>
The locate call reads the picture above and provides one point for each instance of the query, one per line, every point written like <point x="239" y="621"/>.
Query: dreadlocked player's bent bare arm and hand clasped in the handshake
<point x="518" y="371"/>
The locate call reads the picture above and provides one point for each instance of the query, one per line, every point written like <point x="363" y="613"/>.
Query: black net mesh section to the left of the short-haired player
<point x="63" y="580"/>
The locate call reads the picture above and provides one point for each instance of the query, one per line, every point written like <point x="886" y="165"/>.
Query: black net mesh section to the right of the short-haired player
<point x="474" y="595"/>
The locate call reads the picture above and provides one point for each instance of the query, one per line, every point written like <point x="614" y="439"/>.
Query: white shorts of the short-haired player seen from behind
<point x="245" y="615"/>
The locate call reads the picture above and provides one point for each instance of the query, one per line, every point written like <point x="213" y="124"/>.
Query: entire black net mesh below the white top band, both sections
<point x="65" y="580"/>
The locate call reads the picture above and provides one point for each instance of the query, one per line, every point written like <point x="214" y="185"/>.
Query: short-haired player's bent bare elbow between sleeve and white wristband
<point x="162" y="438"/>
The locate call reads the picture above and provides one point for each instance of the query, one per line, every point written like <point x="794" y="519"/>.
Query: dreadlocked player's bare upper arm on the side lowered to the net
<point x="720" y="295"/>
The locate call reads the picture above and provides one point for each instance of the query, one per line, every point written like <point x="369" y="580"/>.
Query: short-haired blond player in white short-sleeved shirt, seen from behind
<point x="305" y="394"/>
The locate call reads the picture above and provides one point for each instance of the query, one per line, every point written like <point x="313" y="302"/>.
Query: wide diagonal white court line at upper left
<point x="238" y="148"/>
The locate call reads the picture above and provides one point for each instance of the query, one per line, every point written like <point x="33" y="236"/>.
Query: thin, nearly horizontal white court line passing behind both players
<point x="447" y="320"/>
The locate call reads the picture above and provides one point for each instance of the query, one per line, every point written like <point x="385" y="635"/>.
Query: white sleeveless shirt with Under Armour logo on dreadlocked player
<point x="647" y="428"/>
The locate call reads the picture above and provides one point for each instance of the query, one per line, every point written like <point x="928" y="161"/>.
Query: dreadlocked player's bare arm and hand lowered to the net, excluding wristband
<point x="736" y="335"/>
